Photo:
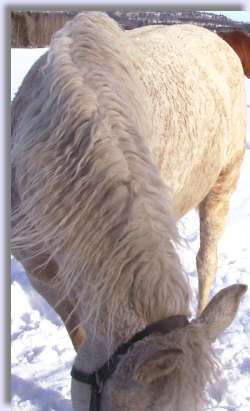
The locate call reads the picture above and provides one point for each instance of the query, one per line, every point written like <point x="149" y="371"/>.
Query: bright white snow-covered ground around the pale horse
<point x="42" y="353"/>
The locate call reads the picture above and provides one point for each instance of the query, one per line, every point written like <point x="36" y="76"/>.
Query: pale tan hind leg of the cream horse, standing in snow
<point x="213" y="211"/>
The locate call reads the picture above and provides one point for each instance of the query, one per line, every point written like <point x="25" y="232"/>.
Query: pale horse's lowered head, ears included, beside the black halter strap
<point x="166" y="372"/>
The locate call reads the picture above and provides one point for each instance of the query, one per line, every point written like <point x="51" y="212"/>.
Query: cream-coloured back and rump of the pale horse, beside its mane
<point x="198" y="100"/>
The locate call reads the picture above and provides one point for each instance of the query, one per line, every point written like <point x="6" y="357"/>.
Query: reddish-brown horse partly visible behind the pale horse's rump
<point x="240" y="42"/>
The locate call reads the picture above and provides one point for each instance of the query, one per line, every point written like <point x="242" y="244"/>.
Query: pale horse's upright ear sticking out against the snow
<point x="221" y="310"/>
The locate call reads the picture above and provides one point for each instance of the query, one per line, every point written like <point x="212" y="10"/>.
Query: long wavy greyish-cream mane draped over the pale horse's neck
<point x="81" y="161"/>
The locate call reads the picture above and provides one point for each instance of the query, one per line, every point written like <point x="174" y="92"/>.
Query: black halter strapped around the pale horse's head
<point x="98" y="378"/>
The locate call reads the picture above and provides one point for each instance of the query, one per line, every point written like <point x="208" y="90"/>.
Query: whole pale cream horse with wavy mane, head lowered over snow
<point x="115" y="135"/>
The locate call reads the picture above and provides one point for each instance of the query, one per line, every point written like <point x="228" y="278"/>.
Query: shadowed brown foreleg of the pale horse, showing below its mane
<point x="41" y="274"/>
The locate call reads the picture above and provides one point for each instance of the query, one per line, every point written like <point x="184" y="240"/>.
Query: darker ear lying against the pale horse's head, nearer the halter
<point x="159" y="364"/>
